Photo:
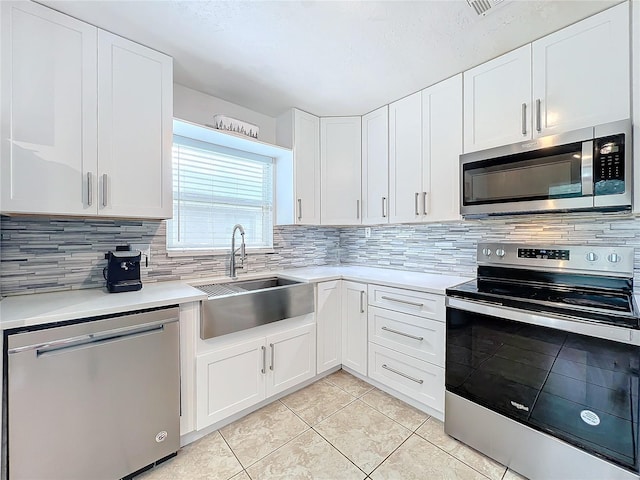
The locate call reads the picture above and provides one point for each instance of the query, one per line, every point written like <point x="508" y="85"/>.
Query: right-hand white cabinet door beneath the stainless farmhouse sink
<point x="292" y="358"/>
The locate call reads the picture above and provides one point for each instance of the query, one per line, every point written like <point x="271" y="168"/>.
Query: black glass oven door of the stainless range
<point x="575" y="387"/>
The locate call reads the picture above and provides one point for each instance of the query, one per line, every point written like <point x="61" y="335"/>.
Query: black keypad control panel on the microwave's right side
<point x="608" y="165"/>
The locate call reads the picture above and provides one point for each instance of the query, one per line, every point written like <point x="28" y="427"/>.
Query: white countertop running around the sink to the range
<point x="42" y="308"/>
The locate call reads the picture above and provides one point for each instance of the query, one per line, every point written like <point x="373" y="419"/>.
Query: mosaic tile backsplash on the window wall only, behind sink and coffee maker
<point x="44" y="255"/>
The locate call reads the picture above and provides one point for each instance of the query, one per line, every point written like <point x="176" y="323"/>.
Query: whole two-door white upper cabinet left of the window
<point x="85" y="119"/>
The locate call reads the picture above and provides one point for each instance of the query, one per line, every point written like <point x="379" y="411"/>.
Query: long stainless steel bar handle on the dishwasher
<point x="93" y="338"/>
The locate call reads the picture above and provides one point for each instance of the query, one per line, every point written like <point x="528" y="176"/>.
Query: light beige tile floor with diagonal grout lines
<point x="340" y="427"/>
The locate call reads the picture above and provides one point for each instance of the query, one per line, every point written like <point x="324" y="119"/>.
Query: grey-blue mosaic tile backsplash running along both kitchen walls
<point x="42" y="254"/>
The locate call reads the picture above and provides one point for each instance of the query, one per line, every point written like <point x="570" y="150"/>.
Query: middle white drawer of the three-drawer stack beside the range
<point x="418" y="337"/>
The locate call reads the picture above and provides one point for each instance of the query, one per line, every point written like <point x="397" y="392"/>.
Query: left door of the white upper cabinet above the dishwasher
<point x="48" y="116"/>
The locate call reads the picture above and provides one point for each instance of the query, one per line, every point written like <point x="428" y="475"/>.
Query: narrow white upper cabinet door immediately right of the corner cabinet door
<point x="375" y="167"/>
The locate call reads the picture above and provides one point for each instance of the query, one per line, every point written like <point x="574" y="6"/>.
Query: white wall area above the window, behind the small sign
<point x="198" y="107"/>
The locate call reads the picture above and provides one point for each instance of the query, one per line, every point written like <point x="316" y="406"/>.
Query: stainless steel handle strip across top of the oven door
<point x="544" y="319"/>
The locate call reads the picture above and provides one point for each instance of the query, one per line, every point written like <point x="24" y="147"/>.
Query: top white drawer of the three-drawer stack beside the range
<point x="423" y="304"/>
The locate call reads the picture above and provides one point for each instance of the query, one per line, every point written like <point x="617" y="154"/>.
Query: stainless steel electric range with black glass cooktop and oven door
<point x="543" y="361"/>
